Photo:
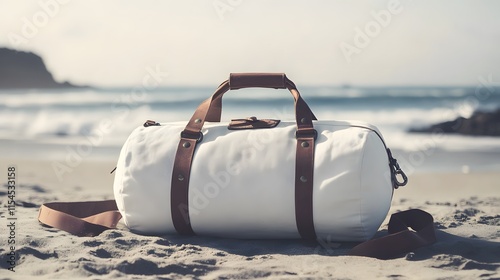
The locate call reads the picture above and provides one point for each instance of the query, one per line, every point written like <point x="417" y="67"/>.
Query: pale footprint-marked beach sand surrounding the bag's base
<point x="466" y="208"/>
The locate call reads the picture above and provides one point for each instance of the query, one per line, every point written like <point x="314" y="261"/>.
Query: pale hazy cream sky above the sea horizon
<point x="199" y="42"/>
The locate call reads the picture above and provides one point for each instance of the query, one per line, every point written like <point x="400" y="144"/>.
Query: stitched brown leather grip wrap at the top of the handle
<point x="264" y="80"/>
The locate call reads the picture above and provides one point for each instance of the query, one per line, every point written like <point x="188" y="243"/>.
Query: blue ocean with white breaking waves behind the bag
<point x="51" y="124"/>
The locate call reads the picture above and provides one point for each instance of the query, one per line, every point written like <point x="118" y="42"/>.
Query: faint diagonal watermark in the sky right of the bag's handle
<point x="363" y="37"/>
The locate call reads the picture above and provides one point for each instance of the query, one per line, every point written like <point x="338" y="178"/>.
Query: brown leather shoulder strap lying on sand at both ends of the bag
<point x="93" y="217"/>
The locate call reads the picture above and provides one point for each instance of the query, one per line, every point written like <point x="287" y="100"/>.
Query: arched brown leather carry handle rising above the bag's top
<point x="249" y="80"/>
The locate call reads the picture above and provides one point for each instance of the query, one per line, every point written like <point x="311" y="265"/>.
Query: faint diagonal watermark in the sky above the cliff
<point x="30" y="27"/>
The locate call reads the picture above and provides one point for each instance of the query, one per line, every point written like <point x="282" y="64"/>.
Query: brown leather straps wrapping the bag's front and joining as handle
<point x="304" y="158"/>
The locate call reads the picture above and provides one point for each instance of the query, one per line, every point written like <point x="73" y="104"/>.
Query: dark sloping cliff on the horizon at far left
<point x="20" y="69"/>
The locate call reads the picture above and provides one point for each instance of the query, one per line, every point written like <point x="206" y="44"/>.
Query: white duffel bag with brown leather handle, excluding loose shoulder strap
<point x="253" y="178"/>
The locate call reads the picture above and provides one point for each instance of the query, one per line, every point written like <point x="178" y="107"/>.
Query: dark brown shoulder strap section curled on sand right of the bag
<point x="401" y="239"/>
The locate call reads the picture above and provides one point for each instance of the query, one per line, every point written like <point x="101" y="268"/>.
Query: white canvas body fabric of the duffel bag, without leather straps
<point x="242" y="181"/>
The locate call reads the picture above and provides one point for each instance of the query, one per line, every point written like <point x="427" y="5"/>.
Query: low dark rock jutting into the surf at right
<point x="480" y="123"/>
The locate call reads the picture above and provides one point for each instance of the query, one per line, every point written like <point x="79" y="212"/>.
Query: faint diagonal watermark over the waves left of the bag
<point x="121" y="108"/>
